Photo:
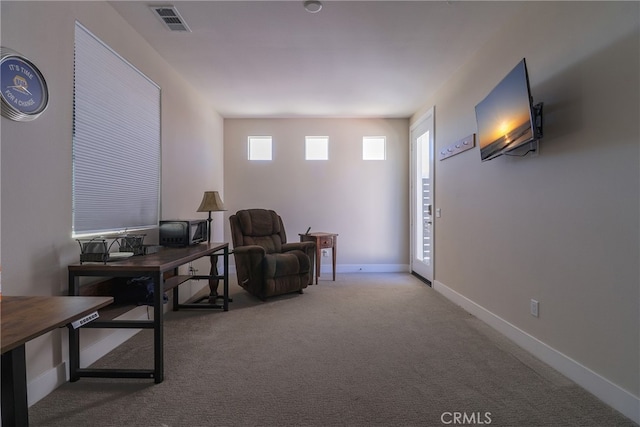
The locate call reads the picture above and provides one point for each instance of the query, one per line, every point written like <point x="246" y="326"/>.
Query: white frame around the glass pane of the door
<point x="418" y="265"/>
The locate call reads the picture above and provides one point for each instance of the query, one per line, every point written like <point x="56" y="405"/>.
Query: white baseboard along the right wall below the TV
<point x="610" y="393"/>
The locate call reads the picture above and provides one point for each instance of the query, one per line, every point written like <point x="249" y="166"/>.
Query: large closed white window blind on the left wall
<point x="116" y="142"/>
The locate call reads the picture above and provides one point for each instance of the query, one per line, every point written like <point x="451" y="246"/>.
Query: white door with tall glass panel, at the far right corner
<point x="422" y="196"/>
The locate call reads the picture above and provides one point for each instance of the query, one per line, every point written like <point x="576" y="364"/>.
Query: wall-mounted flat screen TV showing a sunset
<point x="507" y="118"/>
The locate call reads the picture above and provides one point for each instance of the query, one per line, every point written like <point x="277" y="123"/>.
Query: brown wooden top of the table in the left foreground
<point x="23" y="318"/>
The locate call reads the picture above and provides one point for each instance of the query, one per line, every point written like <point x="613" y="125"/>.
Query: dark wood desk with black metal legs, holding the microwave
<point x="157" y="265"/>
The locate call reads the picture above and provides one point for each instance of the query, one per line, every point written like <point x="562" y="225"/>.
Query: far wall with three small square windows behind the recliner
<point x="365" y="202"/>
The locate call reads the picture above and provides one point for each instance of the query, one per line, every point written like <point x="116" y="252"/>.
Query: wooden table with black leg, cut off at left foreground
<point x="25" y="318"/>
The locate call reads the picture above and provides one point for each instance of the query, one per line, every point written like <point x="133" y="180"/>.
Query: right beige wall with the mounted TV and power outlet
<point x="561" y="227"/>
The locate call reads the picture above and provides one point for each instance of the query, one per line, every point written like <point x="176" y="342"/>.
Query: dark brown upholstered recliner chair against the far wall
<point x="266" y="265"/>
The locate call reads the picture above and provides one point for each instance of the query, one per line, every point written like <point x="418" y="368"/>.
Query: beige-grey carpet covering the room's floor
<point x="366" y="350"/>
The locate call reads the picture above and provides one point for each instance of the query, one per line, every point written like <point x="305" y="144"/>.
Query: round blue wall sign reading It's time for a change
<point x="24" y="91"/>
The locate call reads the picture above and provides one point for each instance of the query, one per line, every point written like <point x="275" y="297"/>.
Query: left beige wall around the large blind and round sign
<point x="36" y="158"/>
